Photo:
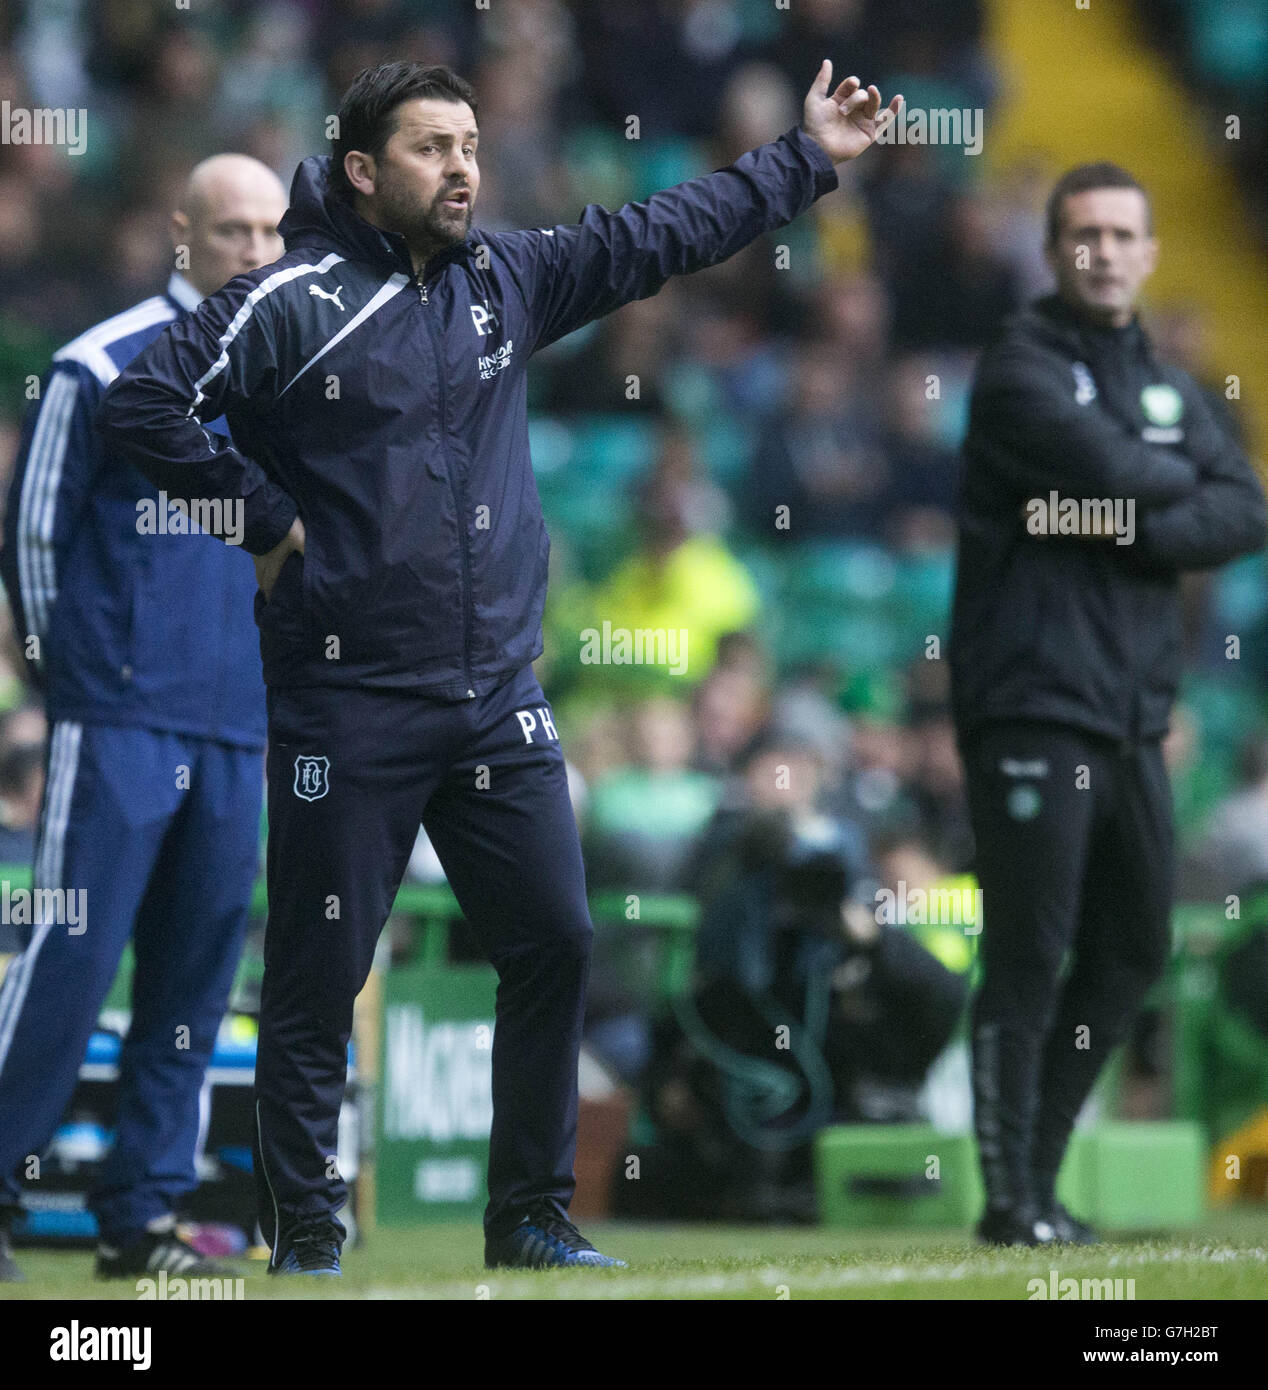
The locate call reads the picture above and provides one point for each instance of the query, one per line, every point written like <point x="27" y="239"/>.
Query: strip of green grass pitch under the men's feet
<point x="1227" y="1257"/>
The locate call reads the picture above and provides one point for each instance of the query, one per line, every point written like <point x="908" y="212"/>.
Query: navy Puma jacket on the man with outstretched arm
<point x="390" y="412"/>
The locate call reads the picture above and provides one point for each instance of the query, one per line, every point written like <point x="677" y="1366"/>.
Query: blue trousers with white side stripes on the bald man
<point x="159" y="836"/>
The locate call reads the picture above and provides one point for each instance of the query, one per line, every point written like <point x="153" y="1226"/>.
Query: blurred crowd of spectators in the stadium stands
<point x="763" y="457"/>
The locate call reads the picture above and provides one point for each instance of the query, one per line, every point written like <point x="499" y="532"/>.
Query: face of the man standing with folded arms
<point x="1105" y="254"/>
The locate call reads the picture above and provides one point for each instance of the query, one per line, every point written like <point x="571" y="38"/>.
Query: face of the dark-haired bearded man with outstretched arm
<point x="426" y="181"/>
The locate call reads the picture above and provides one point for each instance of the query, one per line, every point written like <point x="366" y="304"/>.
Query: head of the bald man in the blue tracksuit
<point x="231" y="229"/>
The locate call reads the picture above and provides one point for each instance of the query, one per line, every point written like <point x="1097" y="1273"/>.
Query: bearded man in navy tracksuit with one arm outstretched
<point x="375" y="384"/>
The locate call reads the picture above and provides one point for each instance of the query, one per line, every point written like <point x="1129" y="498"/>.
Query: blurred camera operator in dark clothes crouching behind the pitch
<point x="806" y="1010"/>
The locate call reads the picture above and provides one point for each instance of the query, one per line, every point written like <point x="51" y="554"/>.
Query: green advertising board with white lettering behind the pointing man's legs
<point x="436" y="1100"/>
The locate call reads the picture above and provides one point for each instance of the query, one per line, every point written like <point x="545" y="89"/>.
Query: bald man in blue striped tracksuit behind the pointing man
<point x="138" y="633"/>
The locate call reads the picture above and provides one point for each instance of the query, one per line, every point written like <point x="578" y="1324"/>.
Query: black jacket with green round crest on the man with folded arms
<point x="1080" y="629"/>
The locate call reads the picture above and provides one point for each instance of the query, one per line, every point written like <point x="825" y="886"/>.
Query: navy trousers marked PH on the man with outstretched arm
<point x="351" y="776"/>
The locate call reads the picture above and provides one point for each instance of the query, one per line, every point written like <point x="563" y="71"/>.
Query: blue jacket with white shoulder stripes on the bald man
<point x="126" y="623"/>
